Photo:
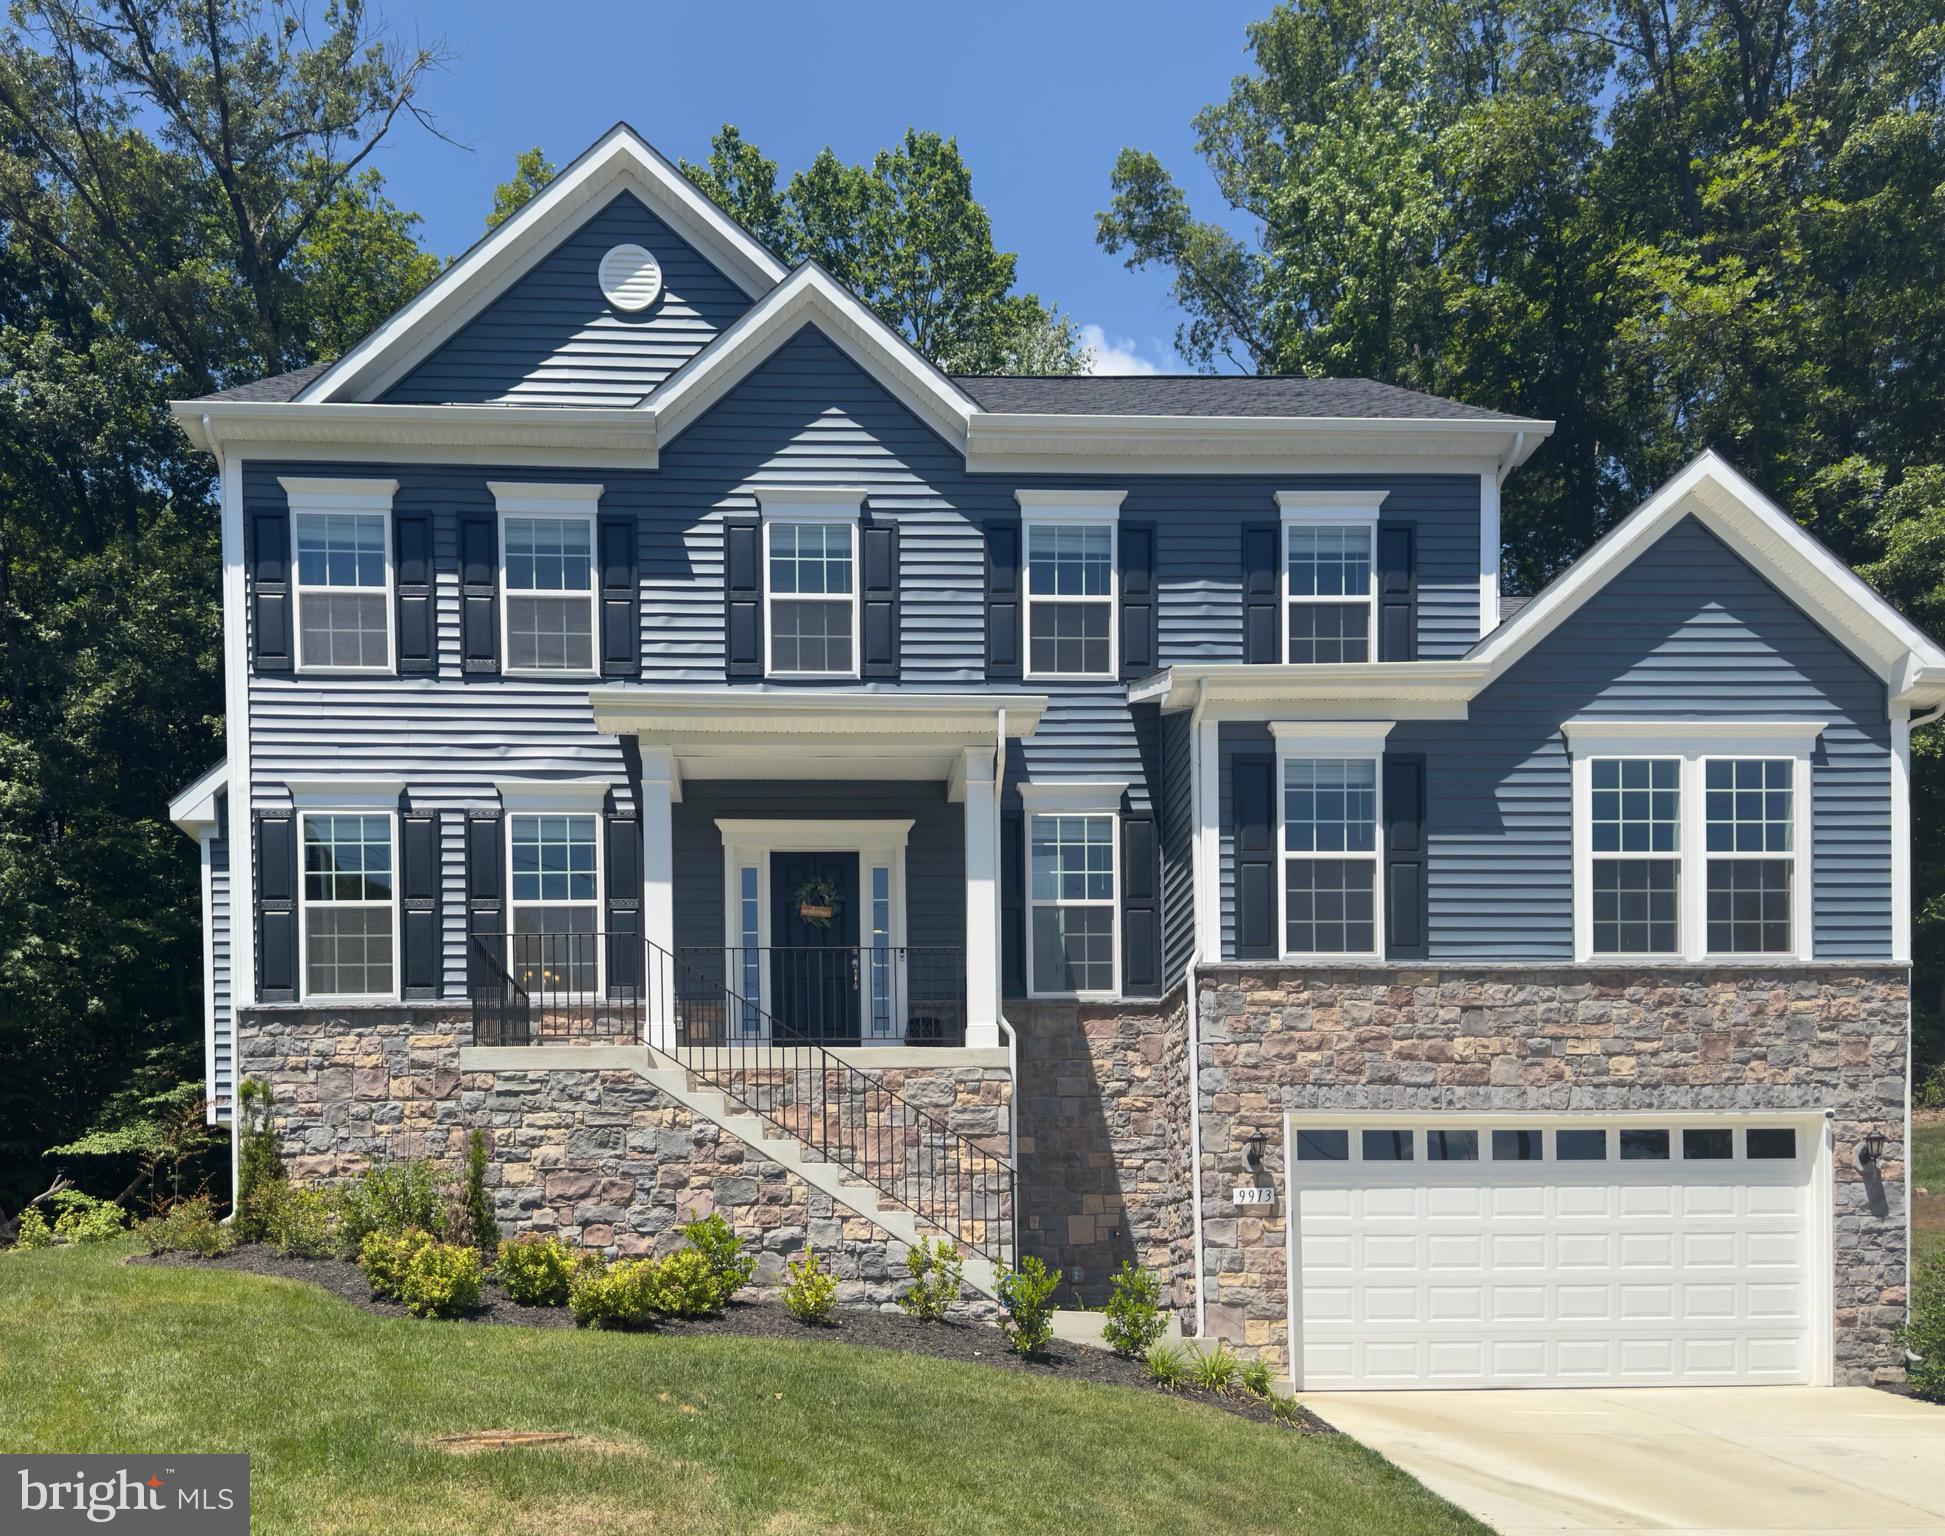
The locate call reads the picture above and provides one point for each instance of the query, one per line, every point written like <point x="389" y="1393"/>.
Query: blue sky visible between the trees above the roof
<point x="1042" y="98"/>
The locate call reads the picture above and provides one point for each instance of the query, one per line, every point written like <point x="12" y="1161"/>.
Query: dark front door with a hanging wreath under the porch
<point x="814" y="956"/>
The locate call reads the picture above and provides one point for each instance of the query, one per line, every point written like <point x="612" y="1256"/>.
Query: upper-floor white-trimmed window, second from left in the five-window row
<point x="548" y="576"/>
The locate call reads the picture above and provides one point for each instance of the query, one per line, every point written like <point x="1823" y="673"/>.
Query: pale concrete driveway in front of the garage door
<point x="1707" y="1461"/>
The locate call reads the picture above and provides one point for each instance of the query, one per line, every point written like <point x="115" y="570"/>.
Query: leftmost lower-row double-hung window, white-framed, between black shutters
<point x="349" y="913"/>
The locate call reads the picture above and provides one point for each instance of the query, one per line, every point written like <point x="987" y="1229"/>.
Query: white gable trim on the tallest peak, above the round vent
<point x="621" y="160"/>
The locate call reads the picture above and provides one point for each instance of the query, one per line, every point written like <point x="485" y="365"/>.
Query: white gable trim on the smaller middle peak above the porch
<point x="808" y="297"/>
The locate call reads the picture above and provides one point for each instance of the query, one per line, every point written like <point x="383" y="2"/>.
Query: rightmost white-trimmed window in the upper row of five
<point x="1329" y="576"/>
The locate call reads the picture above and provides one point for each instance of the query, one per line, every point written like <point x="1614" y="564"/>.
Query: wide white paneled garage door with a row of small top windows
<point x="1565" y="1255"/>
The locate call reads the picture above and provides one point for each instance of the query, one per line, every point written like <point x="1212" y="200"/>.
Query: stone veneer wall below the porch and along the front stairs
<point x="600" y="1158"/>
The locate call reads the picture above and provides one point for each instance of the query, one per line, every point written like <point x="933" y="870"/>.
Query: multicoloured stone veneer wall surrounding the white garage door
<point x="1279" y="1039"/>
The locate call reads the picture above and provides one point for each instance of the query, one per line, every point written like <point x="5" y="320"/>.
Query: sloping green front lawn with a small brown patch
<point x="693" y="1434"/>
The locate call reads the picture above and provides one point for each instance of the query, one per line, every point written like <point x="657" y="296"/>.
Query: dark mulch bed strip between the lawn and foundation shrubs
<point x="972" y="1343"/>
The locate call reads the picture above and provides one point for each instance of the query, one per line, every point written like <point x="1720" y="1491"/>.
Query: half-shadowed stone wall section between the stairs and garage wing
<point x="1104" y="1142"/>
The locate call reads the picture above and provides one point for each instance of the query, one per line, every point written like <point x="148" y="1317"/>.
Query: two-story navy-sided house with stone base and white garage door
<point x="680" y="732"/>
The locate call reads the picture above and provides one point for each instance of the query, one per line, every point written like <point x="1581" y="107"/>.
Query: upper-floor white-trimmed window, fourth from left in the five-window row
<point x="1071" y="590"/>
